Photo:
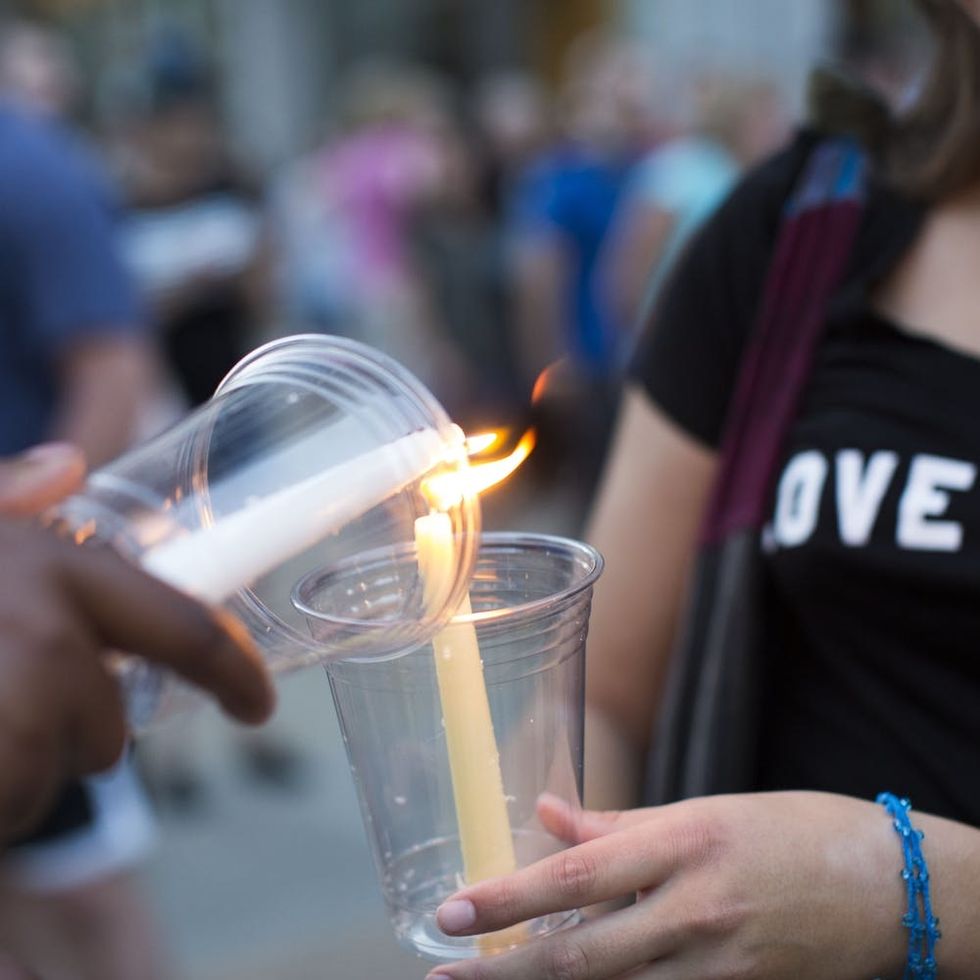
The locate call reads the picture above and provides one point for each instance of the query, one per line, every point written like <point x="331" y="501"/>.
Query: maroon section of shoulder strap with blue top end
<point x="818" y="230"/>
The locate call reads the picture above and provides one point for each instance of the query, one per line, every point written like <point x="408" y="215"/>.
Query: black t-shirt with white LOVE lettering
<point x="873" y="545"/>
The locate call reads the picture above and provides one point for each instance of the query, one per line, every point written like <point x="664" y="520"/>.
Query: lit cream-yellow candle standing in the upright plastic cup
<point x="485" y="834"/>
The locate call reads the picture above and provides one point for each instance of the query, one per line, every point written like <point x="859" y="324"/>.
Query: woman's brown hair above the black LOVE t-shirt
<point x="930" y="151"/>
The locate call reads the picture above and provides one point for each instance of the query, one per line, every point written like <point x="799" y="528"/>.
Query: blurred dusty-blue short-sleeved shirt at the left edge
<point x="61" y="280"/>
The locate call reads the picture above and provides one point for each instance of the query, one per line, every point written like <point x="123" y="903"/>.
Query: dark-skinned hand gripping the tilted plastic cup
<point x="62" y="608"/>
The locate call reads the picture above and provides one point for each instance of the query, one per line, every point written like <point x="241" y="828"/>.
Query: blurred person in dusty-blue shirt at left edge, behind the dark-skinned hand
<point x="76" y="365"/>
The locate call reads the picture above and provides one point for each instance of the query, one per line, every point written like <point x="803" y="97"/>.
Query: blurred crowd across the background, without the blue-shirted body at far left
<point x="478" y="237"/>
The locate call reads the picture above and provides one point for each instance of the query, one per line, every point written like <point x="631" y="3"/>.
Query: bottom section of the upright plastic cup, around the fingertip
<point x="422" y="880"/>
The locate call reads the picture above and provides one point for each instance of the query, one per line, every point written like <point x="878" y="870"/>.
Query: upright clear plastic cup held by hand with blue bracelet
<point x="531" y="596"/>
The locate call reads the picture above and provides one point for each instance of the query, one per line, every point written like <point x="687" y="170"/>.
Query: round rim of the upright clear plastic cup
<point x="492" y="540"/>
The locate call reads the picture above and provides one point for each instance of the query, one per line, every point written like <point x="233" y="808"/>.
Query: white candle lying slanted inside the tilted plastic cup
<point x="214" y="561"/>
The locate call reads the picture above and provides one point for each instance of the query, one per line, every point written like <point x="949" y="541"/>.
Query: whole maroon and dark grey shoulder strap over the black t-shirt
<point x="708" y="729"/>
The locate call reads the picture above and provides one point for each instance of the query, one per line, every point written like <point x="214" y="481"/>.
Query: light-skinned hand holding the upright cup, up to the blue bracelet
<point x="767" y="886"/>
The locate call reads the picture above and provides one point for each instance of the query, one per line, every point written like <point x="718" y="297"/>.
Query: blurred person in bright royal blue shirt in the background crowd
<point x="559" y="218"/>
